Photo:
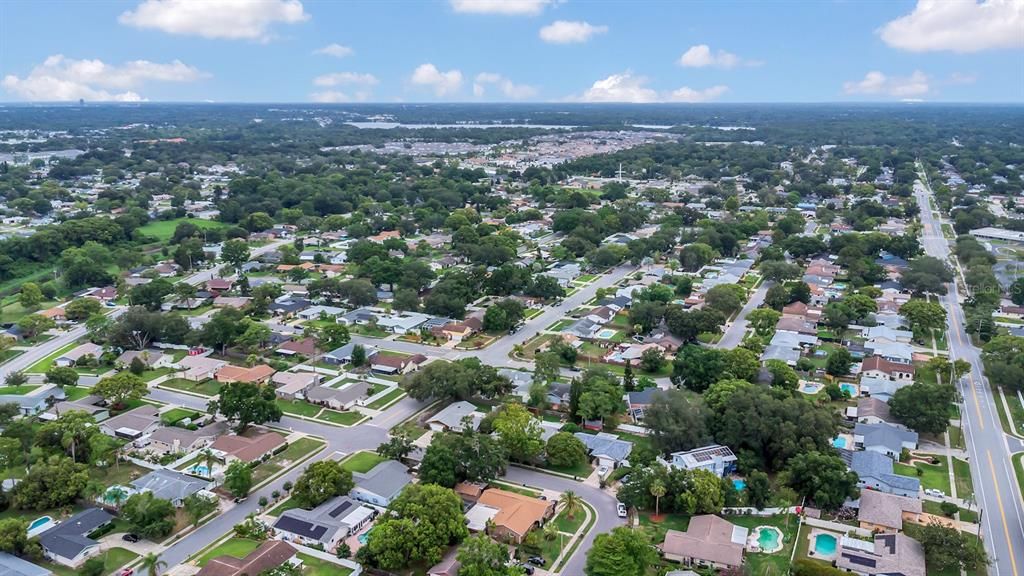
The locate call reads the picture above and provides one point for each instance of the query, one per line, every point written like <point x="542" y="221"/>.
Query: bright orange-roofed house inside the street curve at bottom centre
<point x="513" y="515"/>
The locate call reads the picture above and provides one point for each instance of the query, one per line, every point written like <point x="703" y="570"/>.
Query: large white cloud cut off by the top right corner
<point x="958" y="26"/>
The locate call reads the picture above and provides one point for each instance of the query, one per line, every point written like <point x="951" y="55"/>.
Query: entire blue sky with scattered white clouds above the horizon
<point x="504" y="51"/>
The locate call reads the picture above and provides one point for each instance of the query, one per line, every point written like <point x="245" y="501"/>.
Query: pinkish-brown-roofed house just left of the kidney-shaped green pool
<point x="709" y="543"/>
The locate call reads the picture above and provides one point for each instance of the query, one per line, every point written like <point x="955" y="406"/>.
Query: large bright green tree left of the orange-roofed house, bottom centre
<point x="422" y="523"/>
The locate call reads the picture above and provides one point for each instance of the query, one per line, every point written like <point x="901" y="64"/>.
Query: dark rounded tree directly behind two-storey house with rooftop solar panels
<point x="676" y="424"/>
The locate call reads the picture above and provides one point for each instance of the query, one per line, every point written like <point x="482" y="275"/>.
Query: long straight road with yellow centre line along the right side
<point x="996" y="488"/>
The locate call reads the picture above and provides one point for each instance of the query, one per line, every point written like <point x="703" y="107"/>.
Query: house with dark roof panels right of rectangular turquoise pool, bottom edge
<point x="889" y="554"/>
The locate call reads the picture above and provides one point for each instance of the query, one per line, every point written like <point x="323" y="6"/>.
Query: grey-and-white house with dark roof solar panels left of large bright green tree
<point x="326" y="525"/>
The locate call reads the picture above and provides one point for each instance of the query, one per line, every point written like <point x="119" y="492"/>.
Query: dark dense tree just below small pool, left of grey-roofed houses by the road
<point x="824" y="478"/>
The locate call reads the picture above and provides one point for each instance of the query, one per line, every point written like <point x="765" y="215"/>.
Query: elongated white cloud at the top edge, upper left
<point x="233" y="20"/>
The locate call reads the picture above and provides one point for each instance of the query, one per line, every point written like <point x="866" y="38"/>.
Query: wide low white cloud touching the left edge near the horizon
<point x="60" y="79"/>
